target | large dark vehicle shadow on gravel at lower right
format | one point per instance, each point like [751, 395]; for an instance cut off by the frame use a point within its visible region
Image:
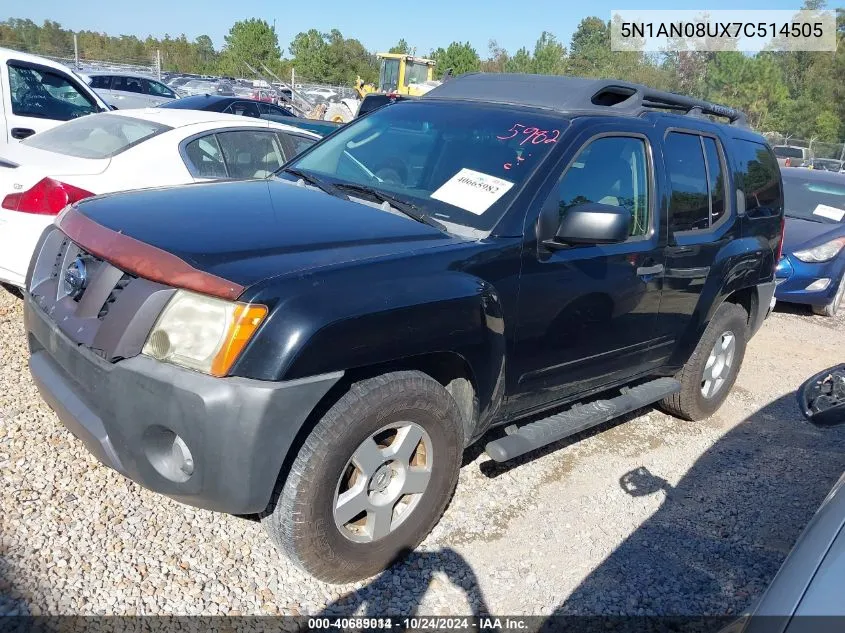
[723, 531]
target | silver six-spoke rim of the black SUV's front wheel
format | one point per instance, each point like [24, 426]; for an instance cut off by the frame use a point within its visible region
[383, 482]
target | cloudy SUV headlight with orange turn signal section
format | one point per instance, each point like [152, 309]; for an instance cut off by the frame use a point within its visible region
[203, 333]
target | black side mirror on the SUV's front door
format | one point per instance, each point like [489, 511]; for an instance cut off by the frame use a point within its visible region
[593, 223]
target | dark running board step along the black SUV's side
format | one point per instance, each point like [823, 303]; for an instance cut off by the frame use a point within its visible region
[578, 418]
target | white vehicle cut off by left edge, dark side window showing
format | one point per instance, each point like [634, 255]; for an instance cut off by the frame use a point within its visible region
[37, 94]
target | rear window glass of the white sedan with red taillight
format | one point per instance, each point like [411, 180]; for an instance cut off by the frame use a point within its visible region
[96, 136]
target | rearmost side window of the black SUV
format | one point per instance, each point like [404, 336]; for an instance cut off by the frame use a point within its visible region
[759, 177]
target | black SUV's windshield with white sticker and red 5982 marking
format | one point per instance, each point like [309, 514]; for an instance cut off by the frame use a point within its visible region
[456, 162]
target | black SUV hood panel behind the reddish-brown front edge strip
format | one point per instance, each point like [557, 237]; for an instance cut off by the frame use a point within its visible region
[245, 232]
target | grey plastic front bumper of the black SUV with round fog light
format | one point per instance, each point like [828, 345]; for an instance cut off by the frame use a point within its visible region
[128, 414]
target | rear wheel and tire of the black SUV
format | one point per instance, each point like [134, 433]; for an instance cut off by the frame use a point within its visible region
[713, 367]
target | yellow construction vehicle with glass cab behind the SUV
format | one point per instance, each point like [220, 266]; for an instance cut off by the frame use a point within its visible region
[399, 74]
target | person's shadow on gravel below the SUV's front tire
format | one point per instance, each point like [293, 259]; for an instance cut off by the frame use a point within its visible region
[399, 590]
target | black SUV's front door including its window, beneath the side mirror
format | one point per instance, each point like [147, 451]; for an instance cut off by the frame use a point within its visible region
[588, 313]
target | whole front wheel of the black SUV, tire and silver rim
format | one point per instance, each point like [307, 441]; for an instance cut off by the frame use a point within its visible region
[371, 479]
